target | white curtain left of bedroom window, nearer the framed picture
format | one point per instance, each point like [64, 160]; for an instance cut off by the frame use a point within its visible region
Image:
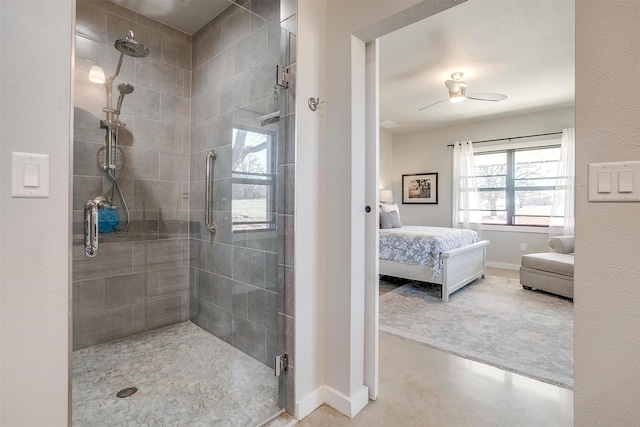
[465, 188]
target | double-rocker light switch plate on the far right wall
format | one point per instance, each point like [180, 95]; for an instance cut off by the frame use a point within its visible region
[614, 182]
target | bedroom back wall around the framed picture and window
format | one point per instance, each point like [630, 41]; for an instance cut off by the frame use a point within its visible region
[428, 152]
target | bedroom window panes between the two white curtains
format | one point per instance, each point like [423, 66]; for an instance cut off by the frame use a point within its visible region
[515, 186]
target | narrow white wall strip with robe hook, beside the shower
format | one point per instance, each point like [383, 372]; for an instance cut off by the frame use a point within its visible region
[310, 205]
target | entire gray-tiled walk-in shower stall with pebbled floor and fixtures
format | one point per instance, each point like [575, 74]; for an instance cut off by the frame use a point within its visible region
[183, 217]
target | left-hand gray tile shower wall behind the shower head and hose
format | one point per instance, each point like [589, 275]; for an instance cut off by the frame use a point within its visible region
[140, 278]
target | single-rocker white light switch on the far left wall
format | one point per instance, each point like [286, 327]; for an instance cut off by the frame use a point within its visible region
[29, 175]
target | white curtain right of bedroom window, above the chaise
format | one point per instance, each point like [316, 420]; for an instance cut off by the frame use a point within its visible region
[562, 219]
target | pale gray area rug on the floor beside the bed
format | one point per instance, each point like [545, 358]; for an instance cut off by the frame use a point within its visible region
[491, 320]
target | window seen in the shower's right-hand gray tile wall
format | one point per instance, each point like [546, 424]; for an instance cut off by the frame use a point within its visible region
[253, 179]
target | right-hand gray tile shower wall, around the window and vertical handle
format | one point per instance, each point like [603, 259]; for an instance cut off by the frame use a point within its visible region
[242, 282]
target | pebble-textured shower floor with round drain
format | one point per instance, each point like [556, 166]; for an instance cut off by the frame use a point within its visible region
[184, 376]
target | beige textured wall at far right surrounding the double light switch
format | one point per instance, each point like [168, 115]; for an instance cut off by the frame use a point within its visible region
[607, 292]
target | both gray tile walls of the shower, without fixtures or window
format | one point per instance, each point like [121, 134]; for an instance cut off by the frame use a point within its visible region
[189, 94]
